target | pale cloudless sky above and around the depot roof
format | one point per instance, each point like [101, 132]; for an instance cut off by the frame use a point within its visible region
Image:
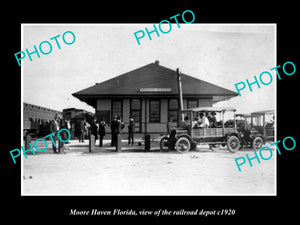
[222, 54]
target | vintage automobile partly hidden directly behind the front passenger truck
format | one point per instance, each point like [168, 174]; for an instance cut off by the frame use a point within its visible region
[249, 135]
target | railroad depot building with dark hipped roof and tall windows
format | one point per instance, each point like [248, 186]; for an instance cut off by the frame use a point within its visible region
[150, 95]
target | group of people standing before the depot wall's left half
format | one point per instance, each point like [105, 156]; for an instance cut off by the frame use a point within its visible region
[98, 129]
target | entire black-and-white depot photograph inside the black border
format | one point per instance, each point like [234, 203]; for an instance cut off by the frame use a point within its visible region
[131, 110]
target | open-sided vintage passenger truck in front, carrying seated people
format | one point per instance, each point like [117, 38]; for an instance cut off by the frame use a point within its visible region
[186, 136]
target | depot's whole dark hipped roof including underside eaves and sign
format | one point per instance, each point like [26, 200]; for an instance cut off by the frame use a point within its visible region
[152, 80]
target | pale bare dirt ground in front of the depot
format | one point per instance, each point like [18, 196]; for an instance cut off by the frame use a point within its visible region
[136, 172]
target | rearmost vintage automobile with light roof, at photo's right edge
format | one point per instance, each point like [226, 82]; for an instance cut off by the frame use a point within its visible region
[263, 121]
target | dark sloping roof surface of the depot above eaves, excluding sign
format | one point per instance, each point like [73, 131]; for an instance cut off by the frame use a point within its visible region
[153, 76]
